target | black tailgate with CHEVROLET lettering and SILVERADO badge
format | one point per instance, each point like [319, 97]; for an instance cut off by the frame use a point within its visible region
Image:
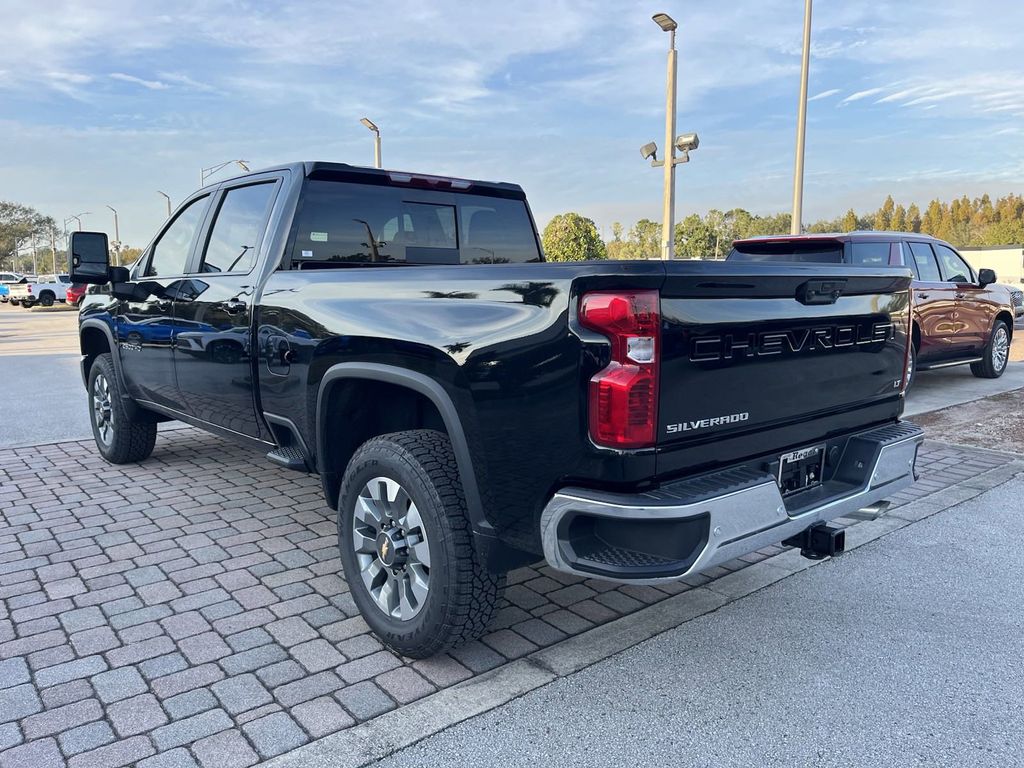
[752, 351]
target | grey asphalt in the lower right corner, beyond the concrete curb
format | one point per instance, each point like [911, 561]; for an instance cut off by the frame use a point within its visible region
[904, 653]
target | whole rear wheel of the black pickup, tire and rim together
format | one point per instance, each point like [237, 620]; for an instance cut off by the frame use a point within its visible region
[407, 546]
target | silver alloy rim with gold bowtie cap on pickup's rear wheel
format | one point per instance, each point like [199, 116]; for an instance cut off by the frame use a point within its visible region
[392, 548]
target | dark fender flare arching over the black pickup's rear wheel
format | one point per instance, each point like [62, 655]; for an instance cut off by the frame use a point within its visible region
[435, 393]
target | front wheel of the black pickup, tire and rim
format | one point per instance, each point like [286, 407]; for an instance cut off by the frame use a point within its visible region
[120, 440]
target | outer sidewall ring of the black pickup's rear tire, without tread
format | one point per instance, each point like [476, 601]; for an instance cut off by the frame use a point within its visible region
[382, 460]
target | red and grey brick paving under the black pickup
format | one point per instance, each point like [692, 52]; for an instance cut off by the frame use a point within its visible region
[191, 611]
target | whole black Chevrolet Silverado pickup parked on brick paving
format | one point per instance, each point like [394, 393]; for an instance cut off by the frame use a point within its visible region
[471, 409]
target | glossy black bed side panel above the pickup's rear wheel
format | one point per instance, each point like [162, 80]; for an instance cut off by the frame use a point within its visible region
[499, 339]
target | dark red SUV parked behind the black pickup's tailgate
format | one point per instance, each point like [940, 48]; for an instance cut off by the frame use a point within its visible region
[961, 317]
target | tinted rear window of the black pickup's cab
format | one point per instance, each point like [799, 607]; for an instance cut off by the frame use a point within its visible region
[343, 224]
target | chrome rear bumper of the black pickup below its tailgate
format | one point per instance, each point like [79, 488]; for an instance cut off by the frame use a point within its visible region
[704, 522]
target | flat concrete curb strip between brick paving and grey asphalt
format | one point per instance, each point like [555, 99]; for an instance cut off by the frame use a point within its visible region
[399, 730]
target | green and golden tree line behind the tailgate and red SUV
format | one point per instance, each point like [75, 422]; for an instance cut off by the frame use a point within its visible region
[964, 222]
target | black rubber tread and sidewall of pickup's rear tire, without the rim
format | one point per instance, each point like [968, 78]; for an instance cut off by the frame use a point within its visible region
[462, 594]
